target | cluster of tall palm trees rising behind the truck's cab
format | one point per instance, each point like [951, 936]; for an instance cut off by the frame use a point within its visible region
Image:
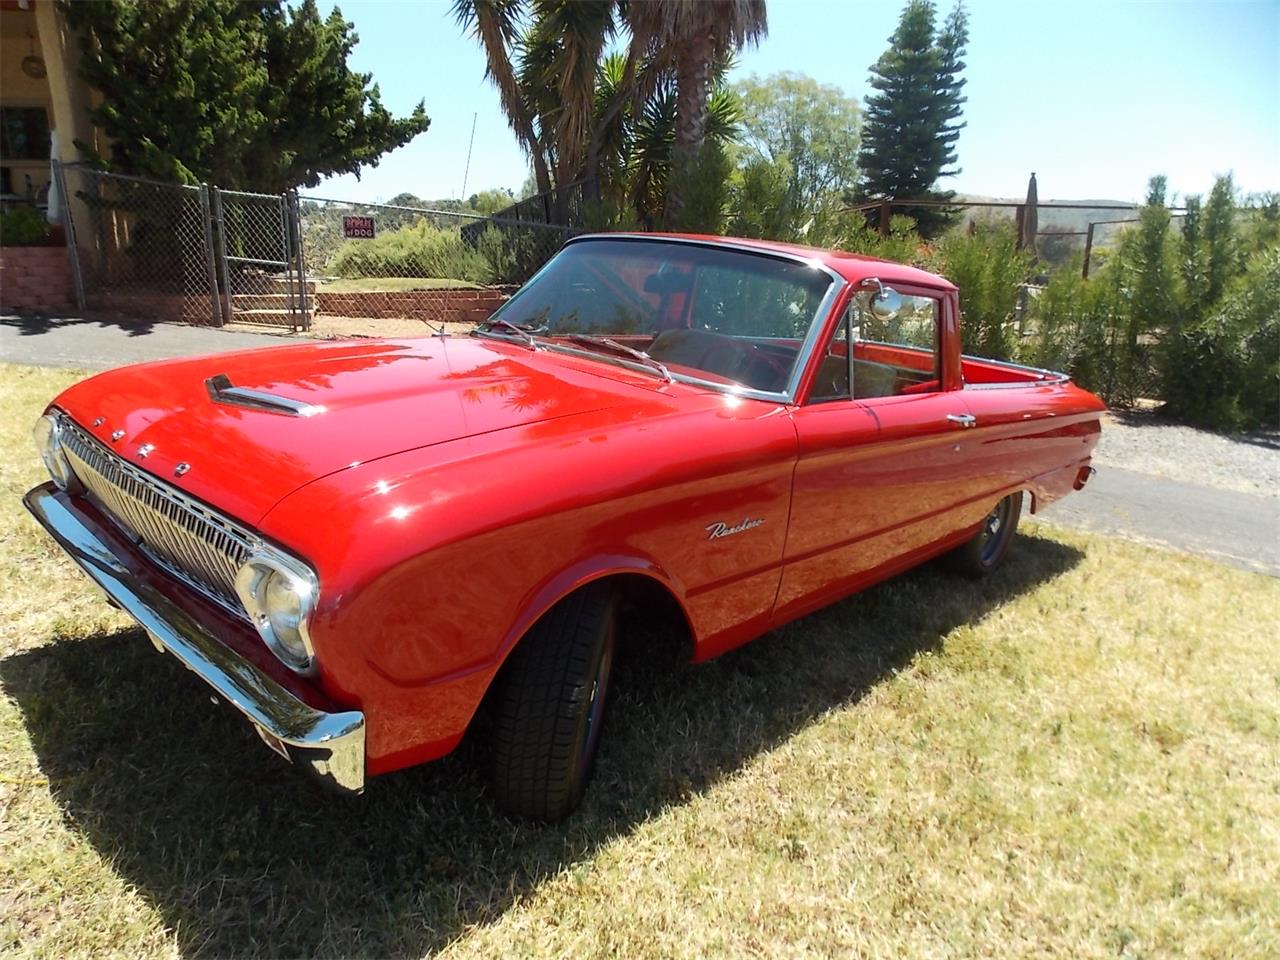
[573, 108]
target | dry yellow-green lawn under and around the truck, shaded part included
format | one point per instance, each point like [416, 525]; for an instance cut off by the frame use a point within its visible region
[1078, 757]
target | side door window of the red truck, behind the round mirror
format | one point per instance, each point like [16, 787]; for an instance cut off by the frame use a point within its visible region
[893, 358]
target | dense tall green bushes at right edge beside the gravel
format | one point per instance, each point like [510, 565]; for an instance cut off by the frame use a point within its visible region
[1187, 317]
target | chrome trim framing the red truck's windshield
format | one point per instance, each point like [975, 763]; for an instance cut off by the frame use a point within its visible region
[787, 396]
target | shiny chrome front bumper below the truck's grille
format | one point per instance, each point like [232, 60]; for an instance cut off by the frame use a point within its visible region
[332, 746]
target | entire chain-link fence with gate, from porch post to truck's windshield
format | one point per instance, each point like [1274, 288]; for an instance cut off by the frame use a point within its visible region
[204, 255]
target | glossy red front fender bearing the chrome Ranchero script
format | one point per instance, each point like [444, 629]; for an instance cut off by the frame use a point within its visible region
[433, 564]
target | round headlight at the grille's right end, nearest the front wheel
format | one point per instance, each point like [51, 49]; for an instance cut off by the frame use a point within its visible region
[280, 593]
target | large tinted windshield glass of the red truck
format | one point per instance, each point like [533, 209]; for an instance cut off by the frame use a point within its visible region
[708, 313]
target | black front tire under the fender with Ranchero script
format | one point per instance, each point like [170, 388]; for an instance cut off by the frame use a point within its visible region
[551, 706]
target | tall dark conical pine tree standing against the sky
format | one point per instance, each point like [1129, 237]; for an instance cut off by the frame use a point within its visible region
[913, 118]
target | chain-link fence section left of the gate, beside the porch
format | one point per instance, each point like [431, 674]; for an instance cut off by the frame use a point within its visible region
[144, 248]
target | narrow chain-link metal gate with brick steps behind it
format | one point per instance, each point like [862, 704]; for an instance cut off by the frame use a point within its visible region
[259, 244]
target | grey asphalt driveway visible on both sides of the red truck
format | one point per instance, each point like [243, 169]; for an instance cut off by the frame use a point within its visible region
[1228, 527]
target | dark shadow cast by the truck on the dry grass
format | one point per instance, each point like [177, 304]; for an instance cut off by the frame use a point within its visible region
[244, 857]
